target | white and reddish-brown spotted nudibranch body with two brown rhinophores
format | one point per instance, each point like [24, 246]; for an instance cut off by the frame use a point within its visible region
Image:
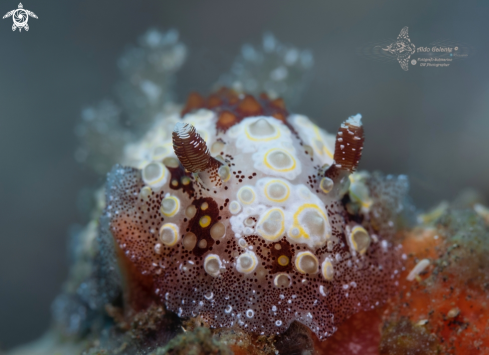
[238, 213]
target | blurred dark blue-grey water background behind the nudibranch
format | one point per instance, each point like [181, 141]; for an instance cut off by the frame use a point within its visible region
[429, 123]
